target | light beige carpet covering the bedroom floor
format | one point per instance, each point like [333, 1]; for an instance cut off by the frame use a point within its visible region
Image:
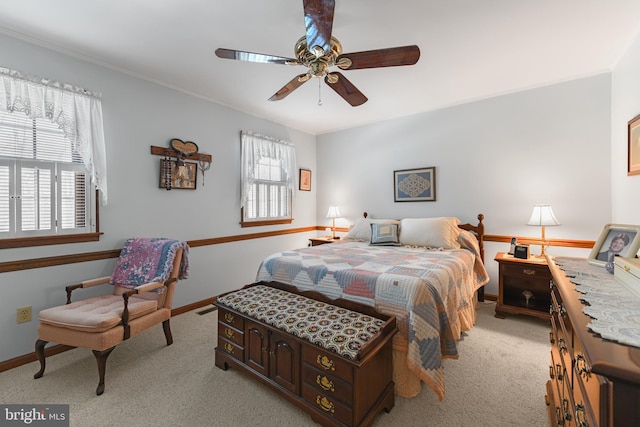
[498, 380]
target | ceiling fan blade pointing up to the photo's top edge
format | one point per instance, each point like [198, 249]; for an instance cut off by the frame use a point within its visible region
[318, 20]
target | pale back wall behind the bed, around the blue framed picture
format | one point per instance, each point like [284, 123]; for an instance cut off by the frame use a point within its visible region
[498, 156]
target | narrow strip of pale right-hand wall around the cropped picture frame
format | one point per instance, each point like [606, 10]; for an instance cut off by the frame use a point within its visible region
[625, 190]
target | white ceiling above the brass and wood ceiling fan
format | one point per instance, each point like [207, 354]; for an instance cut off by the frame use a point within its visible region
[470, 49]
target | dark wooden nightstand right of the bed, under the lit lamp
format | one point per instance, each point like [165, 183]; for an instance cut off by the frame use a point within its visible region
[523, 286]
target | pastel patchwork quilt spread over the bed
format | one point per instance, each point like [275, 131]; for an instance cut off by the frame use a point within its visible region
[429, 291]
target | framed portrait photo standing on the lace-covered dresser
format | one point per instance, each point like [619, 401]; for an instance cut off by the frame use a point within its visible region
[615, 240]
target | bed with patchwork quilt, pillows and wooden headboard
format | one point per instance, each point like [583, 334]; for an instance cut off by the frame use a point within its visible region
[425, 271]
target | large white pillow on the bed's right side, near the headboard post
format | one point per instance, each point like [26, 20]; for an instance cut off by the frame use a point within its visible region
[441, 232]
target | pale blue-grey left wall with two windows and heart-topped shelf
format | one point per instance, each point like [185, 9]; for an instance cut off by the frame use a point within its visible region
[138, 114]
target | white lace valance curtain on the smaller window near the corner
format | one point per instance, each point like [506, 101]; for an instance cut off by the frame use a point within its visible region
[255, 147]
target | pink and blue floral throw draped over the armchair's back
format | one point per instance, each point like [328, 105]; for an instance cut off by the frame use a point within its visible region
[145, 260]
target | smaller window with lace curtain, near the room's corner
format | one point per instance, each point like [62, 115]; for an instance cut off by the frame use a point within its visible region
[268, 177]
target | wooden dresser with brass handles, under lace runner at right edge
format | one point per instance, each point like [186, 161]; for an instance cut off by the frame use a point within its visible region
[593, 382]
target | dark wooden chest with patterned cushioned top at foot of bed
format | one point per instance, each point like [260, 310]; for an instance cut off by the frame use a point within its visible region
[332, 358]
